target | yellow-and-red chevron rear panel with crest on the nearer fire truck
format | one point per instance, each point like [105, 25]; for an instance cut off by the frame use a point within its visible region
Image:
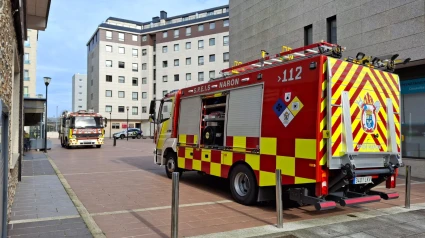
[368, 91]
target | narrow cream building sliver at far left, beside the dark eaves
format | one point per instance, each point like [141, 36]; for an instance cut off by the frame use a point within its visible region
[30, 63]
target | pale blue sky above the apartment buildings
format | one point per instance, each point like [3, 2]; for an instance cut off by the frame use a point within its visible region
[62, 48]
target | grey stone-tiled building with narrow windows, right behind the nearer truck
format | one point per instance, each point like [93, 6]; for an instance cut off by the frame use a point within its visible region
[377, 28]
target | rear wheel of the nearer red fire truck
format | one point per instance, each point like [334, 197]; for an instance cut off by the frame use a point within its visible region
[243, 185]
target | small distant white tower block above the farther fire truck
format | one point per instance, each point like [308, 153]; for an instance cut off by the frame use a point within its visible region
[79, 92]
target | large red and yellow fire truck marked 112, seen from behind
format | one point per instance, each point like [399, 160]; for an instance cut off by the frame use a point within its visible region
[331, 125]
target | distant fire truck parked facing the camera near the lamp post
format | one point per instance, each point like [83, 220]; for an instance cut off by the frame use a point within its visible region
[82, 128]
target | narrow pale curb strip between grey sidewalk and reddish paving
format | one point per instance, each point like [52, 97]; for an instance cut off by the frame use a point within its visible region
[90, 223]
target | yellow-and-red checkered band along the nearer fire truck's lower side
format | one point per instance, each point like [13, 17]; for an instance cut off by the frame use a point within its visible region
[298, 169]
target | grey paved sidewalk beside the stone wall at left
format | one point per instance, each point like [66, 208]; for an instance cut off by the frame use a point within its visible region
[42, 208]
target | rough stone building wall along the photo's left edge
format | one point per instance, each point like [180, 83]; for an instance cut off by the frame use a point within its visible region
[8, 48]
